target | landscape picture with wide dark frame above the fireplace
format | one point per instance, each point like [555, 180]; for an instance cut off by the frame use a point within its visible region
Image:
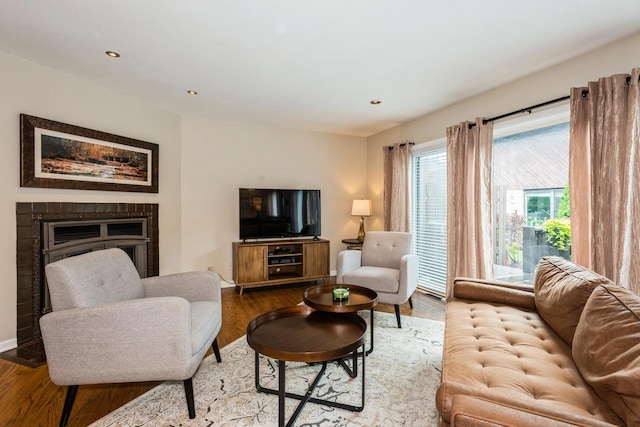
[59, 155]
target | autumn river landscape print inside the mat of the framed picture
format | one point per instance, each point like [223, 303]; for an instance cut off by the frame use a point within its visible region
[62, 156]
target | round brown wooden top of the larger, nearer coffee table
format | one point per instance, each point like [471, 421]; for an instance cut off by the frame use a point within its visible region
[303, 334]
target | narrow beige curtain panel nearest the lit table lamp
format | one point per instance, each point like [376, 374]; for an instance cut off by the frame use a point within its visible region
[396, 186]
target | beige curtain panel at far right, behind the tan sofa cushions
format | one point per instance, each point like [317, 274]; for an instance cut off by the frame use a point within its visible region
[604, 178]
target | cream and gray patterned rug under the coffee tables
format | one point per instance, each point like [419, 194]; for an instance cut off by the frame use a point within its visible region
[402, 375]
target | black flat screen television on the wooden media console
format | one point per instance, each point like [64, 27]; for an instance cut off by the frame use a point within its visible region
[278, 213]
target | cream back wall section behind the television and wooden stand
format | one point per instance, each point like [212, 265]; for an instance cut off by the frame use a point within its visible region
[219, 157]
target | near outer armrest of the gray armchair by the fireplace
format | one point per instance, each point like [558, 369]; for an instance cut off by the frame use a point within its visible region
[136, 340]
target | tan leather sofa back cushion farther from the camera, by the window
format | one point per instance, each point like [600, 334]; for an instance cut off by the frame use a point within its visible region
[562, 289]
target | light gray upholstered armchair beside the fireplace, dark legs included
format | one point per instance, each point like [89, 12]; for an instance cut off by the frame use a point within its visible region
[110, 326]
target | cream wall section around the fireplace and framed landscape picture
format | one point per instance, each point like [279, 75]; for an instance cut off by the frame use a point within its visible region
[31, 89]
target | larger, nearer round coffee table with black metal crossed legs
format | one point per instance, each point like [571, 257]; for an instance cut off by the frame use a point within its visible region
[303, 334]
